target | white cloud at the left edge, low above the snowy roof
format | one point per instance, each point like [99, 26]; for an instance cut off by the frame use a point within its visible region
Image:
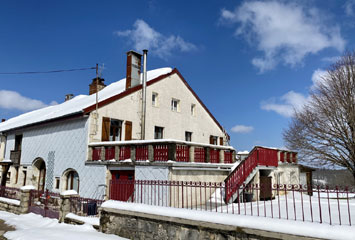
[14, 100]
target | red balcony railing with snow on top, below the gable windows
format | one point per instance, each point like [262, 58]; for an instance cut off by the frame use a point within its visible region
[161, 150]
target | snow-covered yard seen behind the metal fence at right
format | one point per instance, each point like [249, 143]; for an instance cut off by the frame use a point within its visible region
[298, 206]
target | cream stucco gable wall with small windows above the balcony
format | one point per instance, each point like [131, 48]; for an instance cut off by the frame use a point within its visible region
[175, 123]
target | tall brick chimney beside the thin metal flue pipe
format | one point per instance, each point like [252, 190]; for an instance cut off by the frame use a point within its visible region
[133, 75]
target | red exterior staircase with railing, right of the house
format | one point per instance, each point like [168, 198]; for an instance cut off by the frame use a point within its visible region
[258, 158]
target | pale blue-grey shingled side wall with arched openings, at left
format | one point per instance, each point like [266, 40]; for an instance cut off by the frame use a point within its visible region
[61, 145]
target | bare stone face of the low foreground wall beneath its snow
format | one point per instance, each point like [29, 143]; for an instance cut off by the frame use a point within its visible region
[138, 225]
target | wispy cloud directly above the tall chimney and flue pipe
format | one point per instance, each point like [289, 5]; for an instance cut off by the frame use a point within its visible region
[143, 36]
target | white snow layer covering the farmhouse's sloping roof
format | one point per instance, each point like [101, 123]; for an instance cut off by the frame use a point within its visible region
[73, 106]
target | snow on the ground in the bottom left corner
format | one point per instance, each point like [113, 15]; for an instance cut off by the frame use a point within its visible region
[35, 227]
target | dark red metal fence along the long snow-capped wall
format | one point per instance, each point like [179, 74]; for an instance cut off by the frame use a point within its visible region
[332, 205]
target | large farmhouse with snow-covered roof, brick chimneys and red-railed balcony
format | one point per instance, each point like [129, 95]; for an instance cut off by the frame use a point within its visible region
[88, 140]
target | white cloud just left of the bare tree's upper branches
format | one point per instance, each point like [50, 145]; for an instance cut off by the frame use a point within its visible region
[286, 104]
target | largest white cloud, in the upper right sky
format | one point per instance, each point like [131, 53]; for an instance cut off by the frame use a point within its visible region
[284, 32]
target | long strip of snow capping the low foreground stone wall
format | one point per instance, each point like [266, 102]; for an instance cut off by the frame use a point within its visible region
[275, 225]
